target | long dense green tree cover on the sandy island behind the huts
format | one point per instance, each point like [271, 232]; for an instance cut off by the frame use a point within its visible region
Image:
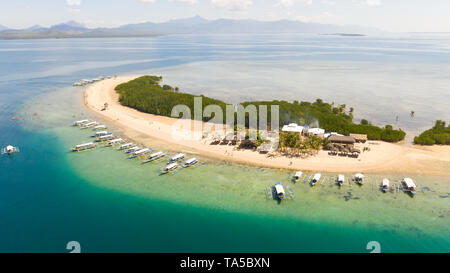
[147, 95]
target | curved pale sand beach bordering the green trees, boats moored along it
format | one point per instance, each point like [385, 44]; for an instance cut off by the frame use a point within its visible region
[382, 158]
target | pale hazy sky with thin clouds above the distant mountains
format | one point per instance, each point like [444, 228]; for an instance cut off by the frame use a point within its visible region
[389, 15]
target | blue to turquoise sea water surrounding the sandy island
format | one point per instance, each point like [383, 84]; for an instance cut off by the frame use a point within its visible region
[47, 201]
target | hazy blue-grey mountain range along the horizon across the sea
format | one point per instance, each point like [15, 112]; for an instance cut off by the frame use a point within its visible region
[193, 25]
